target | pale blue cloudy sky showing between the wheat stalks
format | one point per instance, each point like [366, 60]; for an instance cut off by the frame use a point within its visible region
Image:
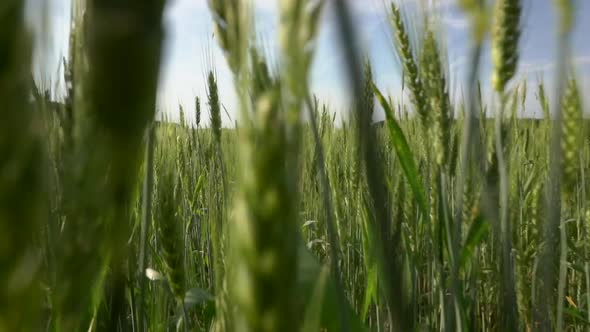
[190, 49]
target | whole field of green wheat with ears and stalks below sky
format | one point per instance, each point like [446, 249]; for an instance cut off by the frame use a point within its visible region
[440, 218]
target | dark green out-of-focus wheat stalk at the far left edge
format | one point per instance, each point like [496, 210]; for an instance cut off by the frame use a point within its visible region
[22, 206]
